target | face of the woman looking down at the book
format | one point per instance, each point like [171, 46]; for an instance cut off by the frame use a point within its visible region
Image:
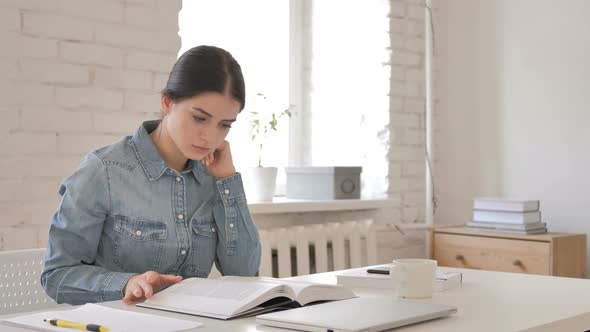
[199, 125]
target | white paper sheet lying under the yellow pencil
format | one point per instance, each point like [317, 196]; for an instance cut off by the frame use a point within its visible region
[115, 320]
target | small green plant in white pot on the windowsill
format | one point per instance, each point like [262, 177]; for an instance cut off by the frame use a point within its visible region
[261, 181]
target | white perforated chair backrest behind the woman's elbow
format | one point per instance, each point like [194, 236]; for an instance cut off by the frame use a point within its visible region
[20, 287]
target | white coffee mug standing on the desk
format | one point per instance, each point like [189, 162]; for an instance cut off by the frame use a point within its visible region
[413, 278]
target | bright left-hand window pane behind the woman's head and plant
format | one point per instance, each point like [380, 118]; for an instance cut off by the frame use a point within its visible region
[256, 33]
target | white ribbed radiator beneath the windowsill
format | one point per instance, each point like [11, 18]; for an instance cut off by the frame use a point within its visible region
[300, 250]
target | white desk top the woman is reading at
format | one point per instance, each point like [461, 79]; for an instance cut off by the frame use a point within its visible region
[487, 301]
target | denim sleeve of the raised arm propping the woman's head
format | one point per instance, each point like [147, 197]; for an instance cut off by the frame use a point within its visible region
[238, 248]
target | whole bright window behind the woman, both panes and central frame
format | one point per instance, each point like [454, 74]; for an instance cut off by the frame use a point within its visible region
[324, 57]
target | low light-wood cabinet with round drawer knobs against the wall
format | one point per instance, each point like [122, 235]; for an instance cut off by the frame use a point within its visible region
[557, 254]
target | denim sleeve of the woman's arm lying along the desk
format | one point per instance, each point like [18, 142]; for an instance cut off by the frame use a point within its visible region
[69, 271]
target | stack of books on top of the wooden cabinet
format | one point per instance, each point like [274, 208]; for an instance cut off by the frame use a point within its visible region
[506, 215]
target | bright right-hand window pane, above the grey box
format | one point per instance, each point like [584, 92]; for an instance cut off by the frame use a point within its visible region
[349, 102]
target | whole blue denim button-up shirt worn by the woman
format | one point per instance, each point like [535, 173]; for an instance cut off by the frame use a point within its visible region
[125, 212]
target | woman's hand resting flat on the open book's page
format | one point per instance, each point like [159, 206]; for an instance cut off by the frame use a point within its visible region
[146, 284]
